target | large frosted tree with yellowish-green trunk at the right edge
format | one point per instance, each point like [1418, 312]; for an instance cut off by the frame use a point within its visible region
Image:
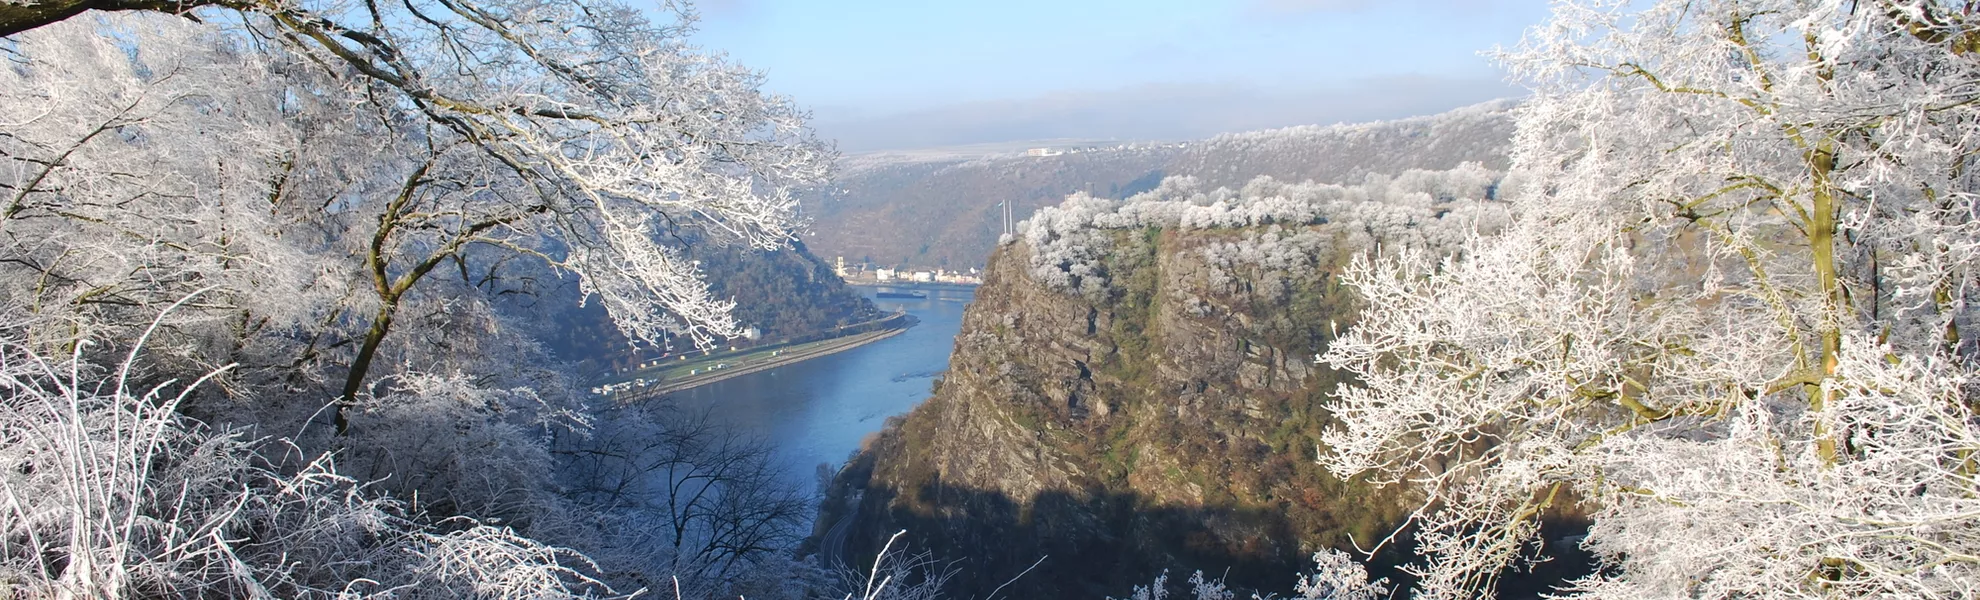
[1732, 316]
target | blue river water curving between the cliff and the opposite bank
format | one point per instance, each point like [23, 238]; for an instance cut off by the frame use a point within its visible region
[821, 411]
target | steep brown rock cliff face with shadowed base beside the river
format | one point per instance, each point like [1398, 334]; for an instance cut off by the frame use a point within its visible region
[1165, 423]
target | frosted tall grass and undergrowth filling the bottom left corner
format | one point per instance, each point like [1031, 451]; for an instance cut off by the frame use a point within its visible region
[108, 492]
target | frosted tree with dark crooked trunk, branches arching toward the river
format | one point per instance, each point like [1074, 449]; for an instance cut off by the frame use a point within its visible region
[395, 142]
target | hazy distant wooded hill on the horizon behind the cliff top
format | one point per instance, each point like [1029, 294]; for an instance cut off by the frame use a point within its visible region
[940, 209]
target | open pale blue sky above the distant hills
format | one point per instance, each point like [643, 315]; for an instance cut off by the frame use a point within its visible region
[894, 74]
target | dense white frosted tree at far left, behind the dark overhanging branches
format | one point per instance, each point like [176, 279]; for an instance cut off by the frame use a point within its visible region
[130, 181]
